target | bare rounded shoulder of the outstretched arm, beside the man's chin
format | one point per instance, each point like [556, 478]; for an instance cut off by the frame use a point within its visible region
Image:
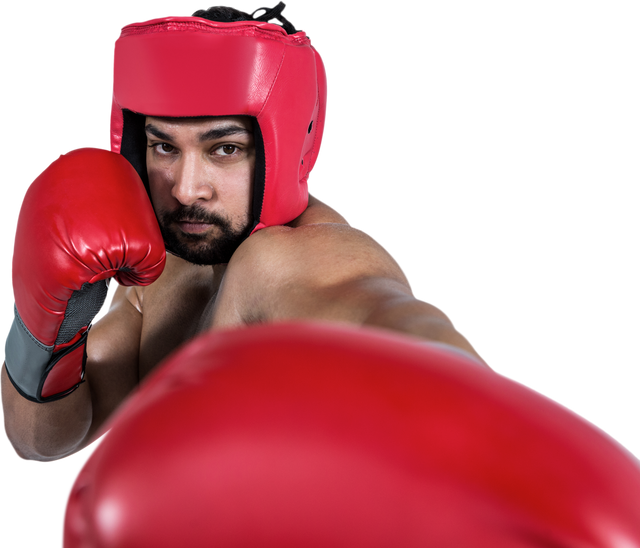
[286, 272]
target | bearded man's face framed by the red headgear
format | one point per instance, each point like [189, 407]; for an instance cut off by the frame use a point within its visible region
[201, 181]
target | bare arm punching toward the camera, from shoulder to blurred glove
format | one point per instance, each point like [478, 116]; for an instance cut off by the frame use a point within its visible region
[338, 273]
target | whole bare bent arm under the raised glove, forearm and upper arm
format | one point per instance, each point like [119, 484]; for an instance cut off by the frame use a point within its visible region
[46, 432]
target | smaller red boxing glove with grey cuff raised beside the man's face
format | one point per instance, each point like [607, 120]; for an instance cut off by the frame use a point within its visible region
[84, 218]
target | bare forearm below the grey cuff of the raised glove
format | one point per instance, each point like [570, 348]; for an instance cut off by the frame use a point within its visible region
[44, 431]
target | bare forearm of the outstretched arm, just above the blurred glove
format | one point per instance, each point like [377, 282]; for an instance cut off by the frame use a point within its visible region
[420, 318]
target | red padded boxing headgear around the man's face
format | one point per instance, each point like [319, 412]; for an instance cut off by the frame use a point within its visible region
[179, 65]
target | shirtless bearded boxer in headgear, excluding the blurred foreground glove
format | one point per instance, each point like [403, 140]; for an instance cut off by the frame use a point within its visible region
[246, 241]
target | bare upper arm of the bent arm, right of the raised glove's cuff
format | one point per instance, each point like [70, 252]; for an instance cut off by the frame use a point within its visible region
[113, 348]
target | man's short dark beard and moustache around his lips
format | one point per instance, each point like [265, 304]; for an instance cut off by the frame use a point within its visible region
[202, 249]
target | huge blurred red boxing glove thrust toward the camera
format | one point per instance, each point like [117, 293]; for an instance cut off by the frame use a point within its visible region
[323, 436]
